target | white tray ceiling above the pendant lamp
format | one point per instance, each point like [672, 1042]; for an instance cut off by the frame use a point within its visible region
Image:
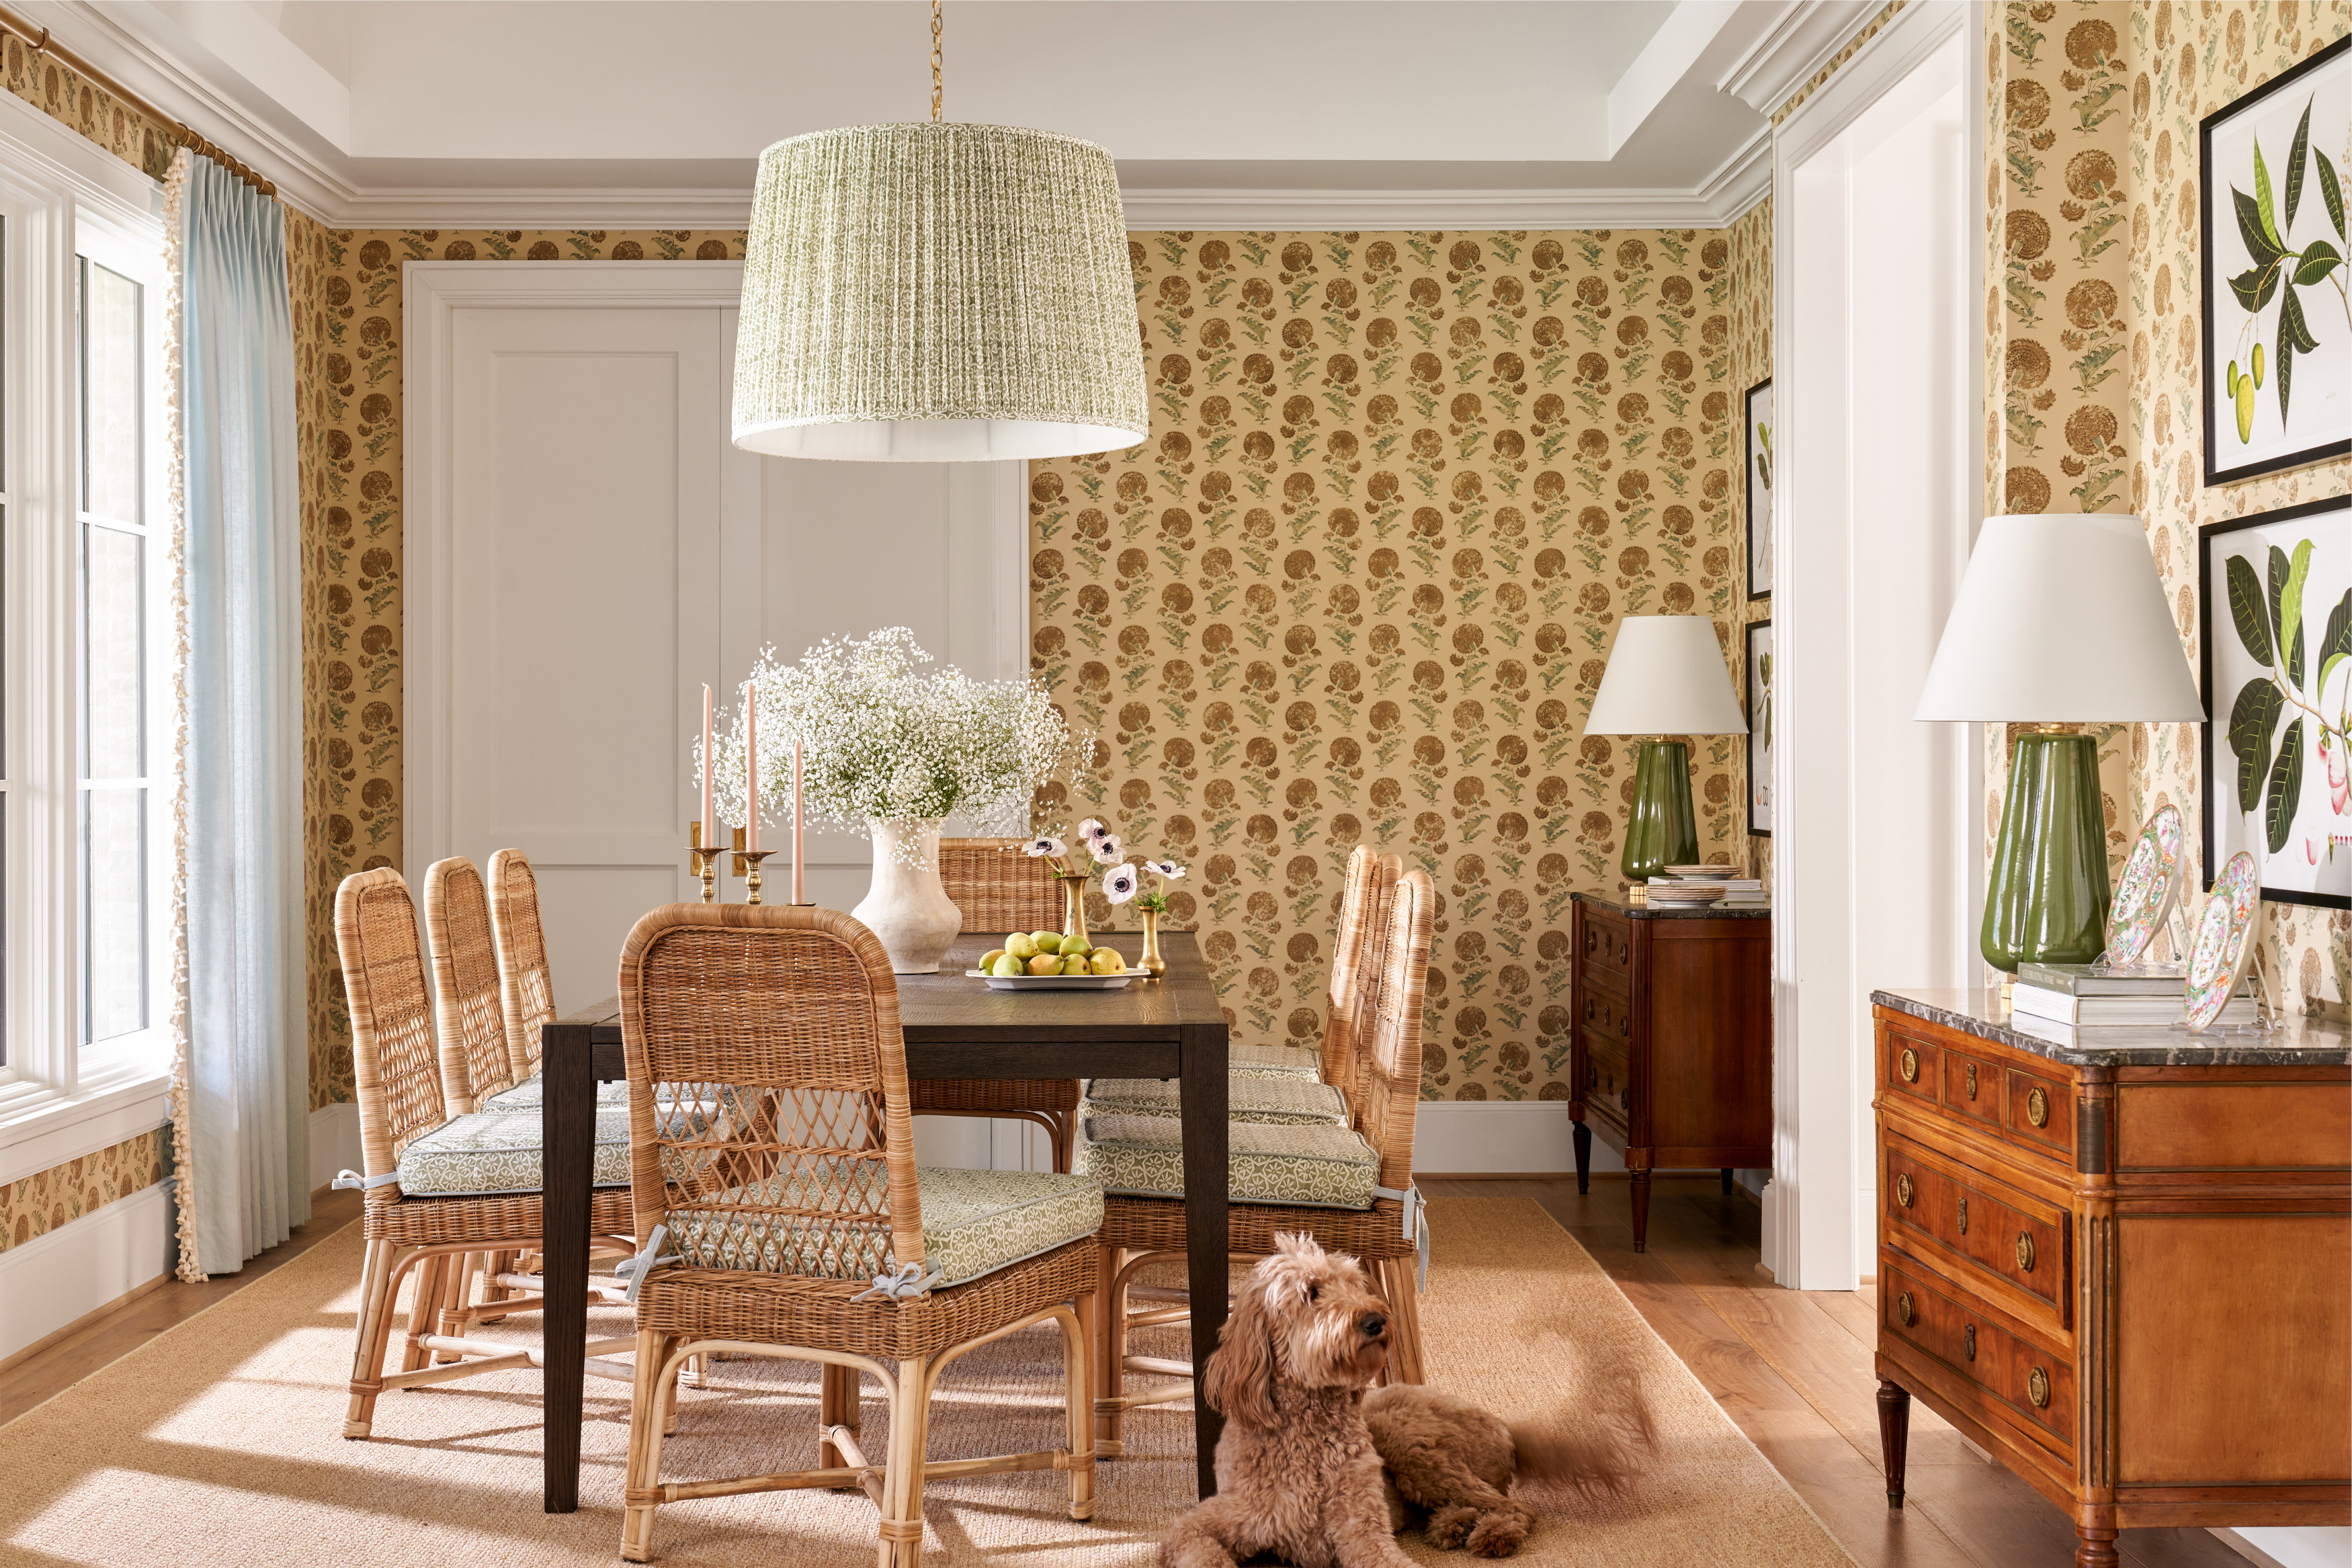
[1220, 112]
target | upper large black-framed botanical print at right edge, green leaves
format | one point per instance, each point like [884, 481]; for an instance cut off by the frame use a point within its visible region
[2278, 326]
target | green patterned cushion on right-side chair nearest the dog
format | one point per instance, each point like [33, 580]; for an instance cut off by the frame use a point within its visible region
[1311, 1165]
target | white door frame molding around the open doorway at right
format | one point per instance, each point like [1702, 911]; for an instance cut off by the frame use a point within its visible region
[1819, 1231]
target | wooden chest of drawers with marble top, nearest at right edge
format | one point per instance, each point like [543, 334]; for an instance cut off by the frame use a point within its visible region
[2120, 1264]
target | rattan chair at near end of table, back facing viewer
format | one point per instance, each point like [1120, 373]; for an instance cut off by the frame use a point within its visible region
[791, 1221]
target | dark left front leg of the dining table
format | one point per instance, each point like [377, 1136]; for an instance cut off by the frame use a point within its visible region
[568, 1148]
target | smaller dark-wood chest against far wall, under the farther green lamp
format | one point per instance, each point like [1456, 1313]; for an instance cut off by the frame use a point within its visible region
[1671, 1057]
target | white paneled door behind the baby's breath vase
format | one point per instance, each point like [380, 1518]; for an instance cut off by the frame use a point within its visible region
[587, 549]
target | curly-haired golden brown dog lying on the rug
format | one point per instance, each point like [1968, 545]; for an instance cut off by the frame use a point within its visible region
[1321, 1473]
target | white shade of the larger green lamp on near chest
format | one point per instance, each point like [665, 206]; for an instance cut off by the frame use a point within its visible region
[2062, 619]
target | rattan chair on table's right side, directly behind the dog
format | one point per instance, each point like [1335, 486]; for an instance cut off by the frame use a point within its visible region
[1349, 1188]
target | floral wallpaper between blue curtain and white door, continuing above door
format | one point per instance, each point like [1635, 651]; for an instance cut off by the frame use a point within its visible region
[347, 344]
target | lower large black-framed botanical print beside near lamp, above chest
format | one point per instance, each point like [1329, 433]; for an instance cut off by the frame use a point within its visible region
[2276, 598]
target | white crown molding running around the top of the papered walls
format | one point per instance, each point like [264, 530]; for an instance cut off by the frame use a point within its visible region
[312, 185]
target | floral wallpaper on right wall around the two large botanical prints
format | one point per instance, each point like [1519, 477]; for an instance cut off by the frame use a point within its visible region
[2094, 337]
